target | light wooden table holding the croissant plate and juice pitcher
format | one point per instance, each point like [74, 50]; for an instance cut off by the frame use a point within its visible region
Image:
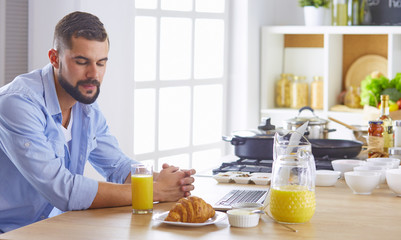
[339, 215]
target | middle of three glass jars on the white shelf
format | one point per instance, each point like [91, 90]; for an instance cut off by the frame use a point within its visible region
[299, 92]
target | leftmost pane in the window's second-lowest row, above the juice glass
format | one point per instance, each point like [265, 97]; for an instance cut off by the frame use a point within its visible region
[144, 120]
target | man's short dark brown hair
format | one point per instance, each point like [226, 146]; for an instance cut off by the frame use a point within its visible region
[78, 24]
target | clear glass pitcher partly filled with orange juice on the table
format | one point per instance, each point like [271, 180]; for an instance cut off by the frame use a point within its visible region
[292, 190]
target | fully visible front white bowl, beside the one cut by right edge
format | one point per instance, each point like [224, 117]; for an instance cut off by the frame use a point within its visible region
[362, 182]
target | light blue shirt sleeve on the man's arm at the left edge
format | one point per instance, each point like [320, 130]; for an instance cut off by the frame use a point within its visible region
[28, 136]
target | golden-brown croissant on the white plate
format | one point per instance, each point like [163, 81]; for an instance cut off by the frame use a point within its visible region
[190, 210]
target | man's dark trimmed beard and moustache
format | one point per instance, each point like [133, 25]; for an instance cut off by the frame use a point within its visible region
[74, 91]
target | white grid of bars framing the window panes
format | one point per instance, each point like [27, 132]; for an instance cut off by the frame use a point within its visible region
[158, 13]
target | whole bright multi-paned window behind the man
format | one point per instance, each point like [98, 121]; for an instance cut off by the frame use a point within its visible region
[180, 78]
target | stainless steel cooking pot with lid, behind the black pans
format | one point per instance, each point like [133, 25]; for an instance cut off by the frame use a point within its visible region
[317, 127]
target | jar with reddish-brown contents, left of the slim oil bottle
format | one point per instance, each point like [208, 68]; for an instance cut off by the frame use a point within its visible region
[375, 139]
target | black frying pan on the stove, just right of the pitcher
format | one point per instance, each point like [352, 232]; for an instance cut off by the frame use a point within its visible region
[335, 148]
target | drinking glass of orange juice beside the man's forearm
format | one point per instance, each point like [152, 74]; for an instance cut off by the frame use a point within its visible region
[142, 188]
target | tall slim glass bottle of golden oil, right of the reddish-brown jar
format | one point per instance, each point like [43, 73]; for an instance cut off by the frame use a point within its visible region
[388, 135]
